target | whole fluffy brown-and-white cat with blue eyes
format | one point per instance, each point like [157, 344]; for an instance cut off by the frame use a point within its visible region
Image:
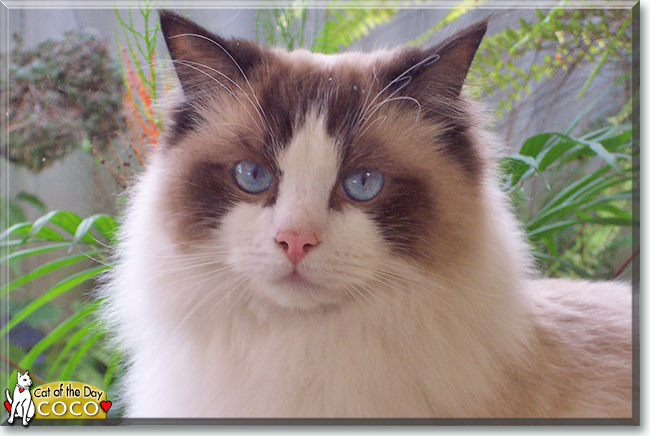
[324, 236]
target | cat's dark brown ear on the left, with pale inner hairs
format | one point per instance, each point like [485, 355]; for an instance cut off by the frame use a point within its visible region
[202, 59]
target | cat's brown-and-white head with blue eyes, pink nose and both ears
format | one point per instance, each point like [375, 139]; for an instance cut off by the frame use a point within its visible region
[314, 178]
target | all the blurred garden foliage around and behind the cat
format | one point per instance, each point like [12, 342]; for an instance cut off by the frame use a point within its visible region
[573, 188]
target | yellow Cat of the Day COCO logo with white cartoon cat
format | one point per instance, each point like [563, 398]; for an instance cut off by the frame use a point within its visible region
[56, 400]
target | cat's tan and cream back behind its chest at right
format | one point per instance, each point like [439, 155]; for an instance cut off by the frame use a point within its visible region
[579, 361]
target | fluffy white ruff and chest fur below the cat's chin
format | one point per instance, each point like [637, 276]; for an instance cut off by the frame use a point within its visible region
[404, 335]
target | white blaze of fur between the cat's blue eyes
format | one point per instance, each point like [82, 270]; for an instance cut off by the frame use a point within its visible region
[309, 166]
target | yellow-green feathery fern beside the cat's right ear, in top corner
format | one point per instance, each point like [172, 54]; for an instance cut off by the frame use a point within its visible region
[557, 42]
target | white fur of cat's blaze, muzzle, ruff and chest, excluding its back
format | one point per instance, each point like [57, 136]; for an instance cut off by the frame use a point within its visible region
[368, 335]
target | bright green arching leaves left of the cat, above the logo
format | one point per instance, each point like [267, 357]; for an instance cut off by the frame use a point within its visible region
[79, 243]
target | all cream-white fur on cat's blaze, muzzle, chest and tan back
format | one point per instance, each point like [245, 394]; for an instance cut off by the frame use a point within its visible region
[483, 338]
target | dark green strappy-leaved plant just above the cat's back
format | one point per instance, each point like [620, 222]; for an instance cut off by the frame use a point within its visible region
[602, 196]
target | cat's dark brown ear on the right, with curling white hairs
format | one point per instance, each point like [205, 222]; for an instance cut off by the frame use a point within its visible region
[439, 71]
